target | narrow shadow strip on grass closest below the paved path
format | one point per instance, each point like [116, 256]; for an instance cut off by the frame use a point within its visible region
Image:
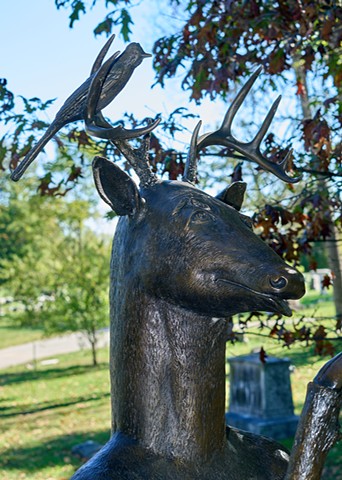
[47, 374]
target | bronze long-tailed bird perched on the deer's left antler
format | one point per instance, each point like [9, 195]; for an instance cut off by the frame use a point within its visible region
[114, 74]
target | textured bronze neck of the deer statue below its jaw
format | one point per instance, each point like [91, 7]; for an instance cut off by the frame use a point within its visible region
[168, 378]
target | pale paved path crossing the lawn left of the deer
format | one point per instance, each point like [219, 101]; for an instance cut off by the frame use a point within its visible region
[32, 351]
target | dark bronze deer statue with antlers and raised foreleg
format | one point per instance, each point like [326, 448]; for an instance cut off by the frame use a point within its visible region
[182, 262]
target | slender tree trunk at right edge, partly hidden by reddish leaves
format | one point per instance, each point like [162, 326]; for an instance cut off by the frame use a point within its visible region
[331, 245]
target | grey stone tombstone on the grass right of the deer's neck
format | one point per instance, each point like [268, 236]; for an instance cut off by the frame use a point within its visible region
[261, 397]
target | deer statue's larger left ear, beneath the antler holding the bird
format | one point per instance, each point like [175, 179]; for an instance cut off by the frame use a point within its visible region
[115, 187]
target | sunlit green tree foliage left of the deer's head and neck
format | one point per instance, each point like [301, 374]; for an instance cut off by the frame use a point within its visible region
[53, 267]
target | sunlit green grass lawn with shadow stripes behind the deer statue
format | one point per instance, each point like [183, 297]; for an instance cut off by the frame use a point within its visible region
[45, 412]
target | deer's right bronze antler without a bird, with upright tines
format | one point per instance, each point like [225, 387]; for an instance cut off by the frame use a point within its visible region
[250, 150]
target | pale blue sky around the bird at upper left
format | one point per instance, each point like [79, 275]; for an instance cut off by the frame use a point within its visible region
[41, 56]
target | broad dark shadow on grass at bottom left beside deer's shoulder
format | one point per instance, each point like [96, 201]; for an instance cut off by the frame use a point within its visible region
[54, 452]
